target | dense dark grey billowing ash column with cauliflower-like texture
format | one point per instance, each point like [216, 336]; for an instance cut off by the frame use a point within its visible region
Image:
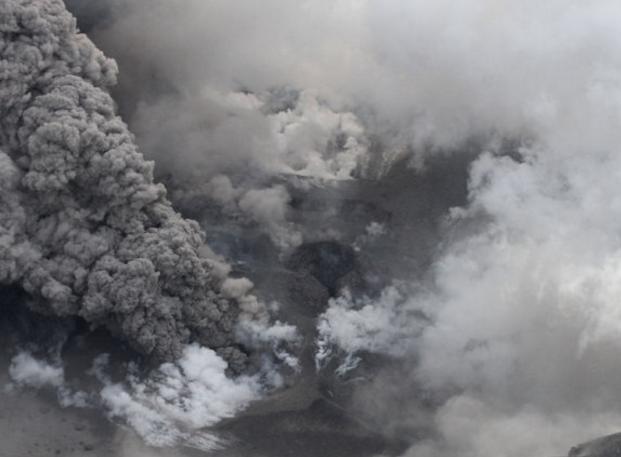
[84, 230]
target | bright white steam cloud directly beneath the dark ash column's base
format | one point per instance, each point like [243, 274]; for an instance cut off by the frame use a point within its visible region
[179, 399]
